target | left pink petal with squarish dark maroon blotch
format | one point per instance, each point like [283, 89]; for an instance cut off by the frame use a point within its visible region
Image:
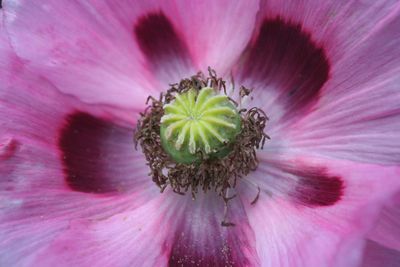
[61, 160]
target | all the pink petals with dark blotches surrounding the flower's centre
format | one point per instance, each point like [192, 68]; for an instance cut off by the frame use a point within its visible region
[75, 75]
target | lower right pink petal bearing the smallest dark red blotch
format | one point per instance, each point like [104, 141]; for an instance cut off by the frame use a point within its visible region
[305, 234]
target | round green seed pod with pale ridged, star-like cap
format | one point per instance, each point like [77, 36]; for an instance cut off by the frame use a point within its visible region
[199, 124]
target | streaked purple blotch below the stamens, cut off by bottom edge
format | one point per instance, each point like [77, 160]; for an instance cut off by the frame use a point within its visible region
[200, 240]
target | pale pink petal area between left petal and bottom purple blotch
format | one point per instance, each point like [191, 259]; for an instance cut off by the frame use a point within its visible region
[135, 238]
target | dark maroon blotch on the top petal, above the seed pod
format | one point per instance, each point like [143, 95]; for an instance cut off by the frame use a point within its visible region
[159, 41]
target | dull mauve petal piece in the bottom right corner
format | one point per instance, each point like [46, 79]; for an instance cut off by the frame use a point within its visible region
[376, 255]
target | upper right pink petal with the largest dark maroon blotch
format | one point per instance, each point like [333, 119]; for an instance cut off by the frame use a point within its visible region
[326, 62]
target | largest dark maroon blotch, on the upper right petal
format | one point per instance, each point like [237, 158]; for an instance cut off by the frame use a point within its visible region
[284, 57]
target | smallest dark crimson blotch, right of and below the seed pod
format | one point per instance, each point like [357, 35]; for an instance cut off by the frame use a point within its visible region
[317, 188]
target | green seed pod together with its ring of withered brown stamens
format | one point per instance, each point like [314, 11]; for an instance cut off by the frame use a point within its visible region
[195, 137]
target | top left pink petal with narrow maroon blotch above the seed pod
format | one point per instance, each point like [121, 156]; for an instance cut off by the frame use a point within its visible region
[116, 52]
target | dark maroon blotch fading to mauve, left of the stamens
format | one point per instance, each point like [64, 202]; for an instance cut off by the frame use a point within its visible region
[92, 151]
